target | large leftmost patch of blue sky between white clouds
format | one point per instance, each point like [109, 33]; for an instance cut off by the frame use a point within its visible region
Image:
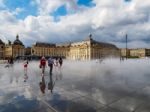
[28, 9]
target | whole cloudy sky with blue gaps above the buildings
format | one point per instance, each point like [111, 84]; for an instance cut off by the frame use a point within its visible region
[63, 21]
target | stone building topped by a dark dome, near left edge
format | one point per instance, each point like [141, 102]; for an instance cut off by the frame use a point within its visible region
[14, 49]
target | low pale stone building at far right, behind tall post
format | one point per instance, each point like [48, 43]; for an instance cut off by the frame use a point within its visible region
[140, 52]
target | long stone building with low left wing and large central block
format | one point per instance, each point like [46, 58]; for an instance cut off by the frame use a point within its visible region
[84, 50]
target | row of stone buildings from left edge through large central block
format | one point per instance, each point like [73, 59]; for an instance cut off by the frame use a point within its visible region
[84, 50]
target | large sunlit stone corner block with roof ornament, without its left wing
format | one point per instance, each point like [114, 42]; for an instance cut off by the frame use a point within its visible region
[90, 49]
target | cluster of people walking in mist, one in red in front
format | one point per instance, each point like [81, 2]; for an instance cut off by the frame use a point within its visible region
[51, 62]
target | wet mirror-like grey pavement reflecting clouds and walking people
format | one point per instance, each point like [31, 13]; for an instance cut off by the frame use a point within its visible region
[110, 86]
